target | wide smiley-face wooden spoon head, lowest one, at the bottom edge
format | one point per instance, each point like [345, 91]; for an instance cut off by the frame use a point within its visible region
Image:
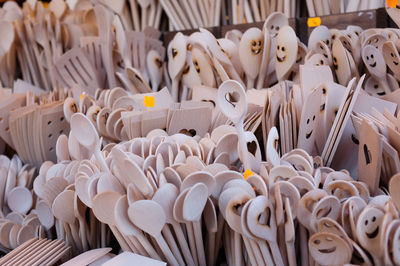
[329, 249]
